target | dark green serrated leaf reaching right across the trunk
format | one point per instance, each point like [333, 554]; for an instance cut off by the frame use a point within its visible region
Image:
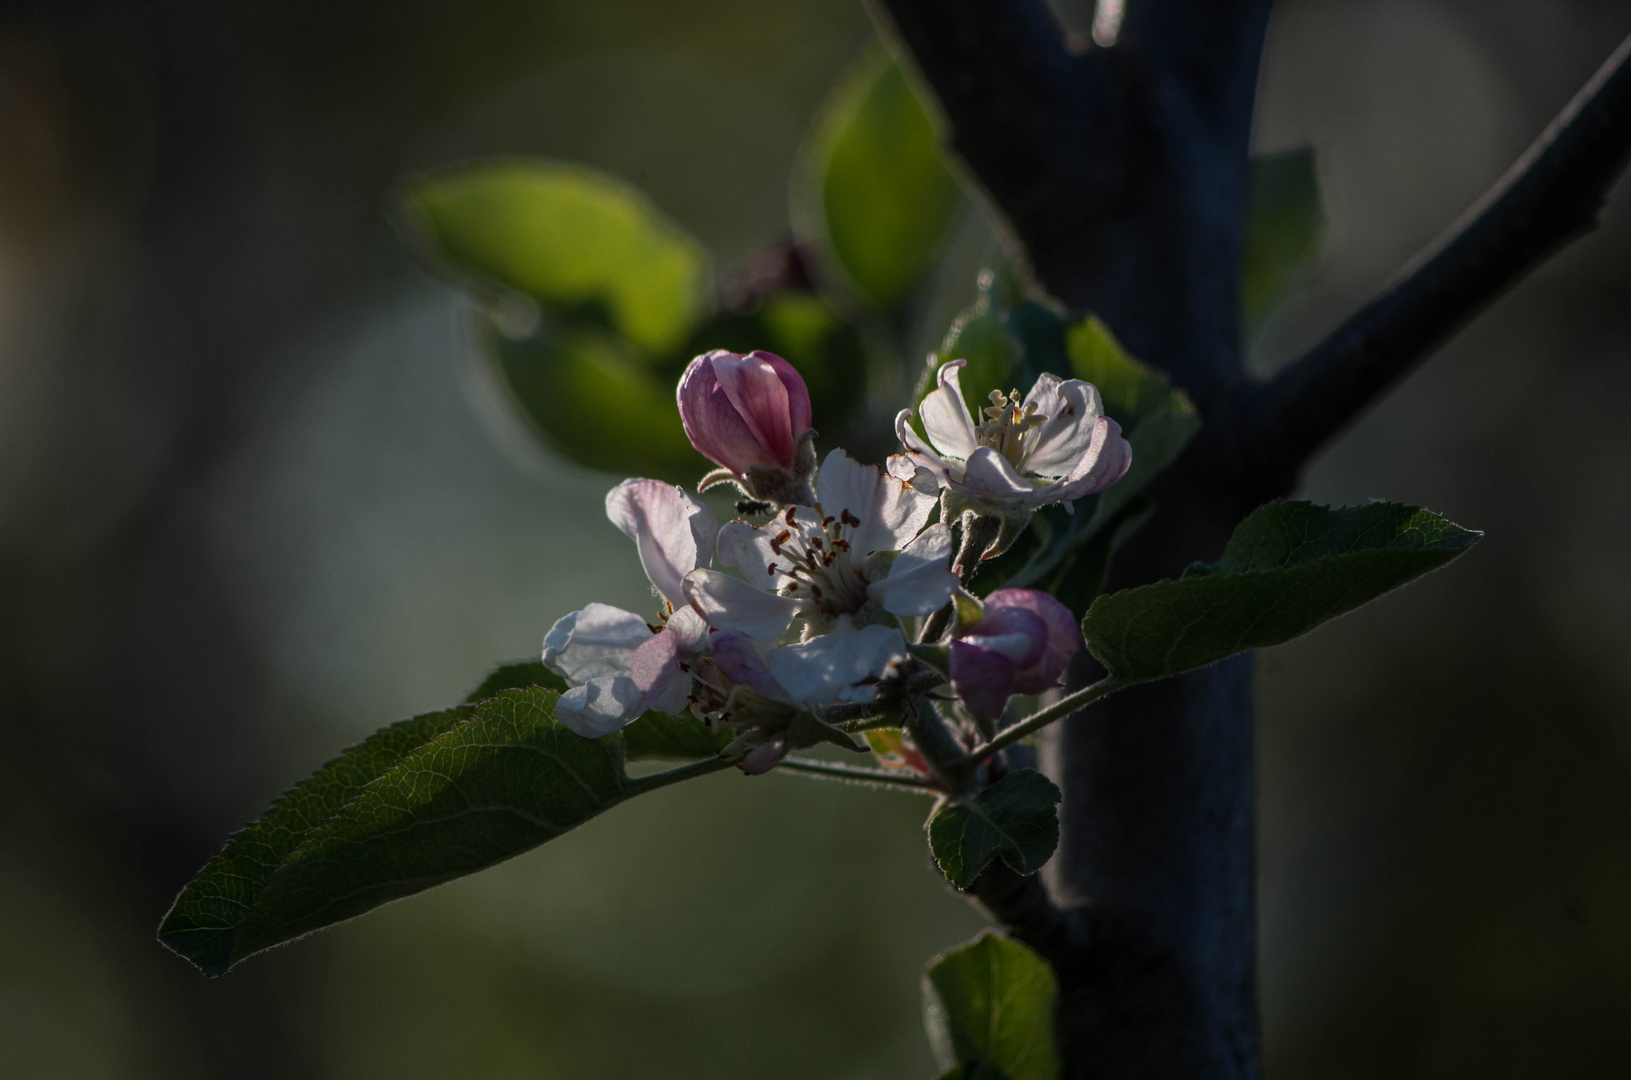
[1288, 569]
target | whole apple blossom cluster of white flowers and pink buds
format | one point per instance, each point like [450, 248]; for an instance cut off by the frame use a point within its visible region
[769, 631]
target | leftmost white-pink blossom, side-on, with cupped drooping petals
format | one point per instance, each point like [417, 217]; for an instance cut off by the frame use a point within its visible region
[616, 665]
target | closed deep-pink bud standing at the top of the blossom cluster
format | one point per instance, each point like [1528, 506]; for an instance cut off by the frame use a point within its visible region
[745, 412]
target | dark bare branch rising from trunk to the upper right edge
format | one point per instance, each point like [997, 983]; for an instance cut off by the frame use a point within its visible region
[1549, 198]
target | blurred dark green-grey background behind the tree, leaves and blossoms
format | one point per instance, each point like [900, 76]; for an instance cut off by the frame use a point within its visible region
[260, 497]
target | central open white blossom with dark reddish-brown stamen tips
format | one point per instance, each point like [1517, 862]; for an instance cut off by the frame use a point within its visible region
[862, 549]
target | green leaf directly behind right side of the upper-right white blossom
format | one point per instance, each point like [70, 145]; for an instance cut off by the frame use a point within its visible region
[1157, 418]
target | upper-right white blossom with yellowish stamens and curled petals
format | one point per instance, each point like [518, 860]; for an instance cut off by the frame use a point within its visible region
[1056, 446]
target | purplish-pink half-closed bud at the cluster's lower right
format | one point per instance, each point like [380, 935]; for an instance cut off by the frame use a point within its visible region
[1022, 645]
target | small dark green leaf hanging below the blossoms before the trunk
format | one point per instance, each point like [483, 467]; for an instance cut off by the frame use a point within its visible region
[1014, 820]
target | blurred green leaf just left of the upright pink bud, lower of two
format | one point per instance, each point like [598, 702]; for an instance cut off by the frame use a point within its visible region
[594, 401]
